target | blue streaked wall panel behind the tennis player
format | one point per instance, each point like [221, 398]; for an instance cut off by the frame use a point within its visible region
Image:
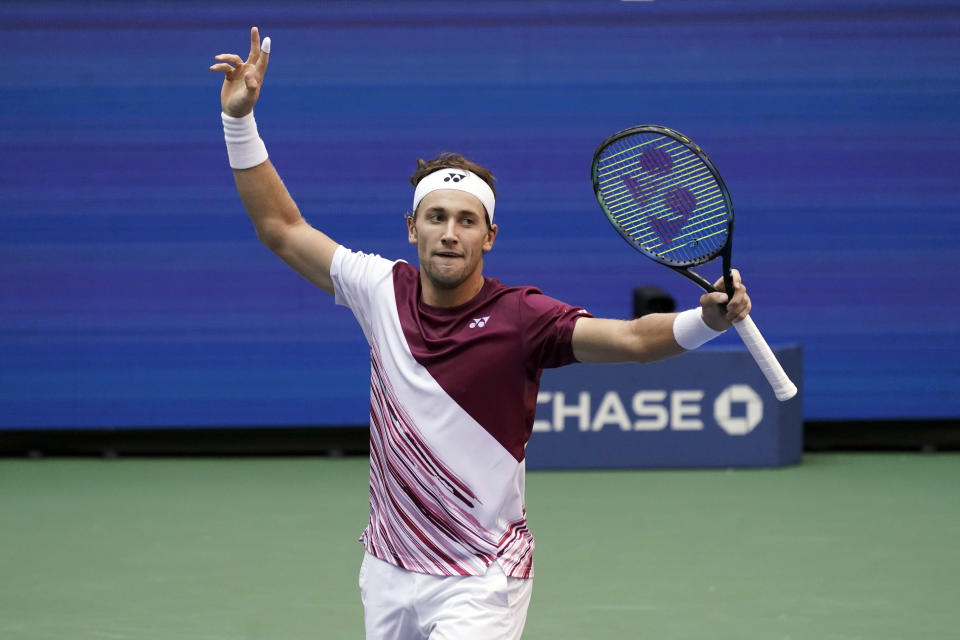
[133, 292]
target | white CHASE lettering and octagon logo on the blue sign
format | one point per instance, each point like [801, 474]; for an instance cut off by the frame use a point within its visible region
[737, 409]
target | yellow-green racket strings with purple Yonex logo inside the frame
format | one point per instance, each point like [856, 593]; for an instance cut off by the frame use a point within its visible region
[664, 197]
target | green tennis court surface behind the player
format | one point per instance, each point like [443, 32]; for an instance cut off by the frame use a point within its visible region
[843, 547]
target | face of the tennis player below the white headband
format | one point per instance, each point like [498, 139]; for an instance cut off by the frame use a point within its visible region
[451, 234]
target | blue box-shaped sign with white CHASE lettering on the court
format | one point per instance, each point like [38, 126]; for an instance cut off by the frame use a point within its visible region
[706, 408]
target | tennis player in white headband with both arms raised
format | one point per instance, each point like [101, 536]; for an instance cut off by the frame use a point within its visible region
[455, 361]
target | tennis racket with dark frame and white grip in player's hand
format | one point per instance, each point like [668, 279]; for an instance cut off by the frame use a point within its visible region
[663, 195]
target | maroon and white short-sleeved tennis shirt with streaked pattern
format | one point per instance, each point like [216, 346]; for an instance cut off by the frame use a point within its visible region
[453, 396]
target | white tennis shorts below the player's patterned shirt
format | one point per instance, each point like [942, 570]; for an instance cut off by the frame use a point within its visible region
[404, 605]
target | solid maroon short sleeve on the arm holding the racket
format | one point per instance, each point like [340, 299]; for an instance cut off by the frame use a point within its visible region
[547, 326]
